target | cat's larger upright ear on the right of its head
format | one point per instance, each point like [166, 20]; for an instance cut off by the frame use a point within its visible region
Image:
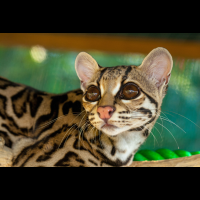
[158, 65]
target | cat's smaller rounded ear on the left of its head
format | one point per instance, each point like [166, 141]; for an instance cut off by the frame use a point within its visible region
[86, 67]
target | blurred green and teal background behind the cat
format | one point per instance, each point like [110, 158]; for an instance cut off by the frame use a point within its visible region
[53, 71]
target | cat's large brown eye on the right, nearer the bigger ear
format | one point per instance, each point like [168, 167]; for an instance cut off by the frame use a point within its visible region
[130, 91]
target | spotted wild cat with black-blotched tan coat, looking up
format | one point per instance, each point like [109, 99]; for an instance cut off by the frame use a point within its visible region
[102, 124]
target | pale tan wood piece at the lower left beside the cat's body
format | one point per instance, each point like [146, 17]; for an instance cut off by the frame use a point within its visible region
[6, 154]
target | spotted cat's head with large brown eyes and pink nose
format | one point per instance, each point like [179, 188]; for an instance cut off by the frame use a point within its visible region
[124, 98]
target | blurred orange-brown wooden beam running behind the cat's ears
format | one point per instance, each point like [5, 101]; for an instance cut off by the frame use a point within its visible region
[115, 44]
